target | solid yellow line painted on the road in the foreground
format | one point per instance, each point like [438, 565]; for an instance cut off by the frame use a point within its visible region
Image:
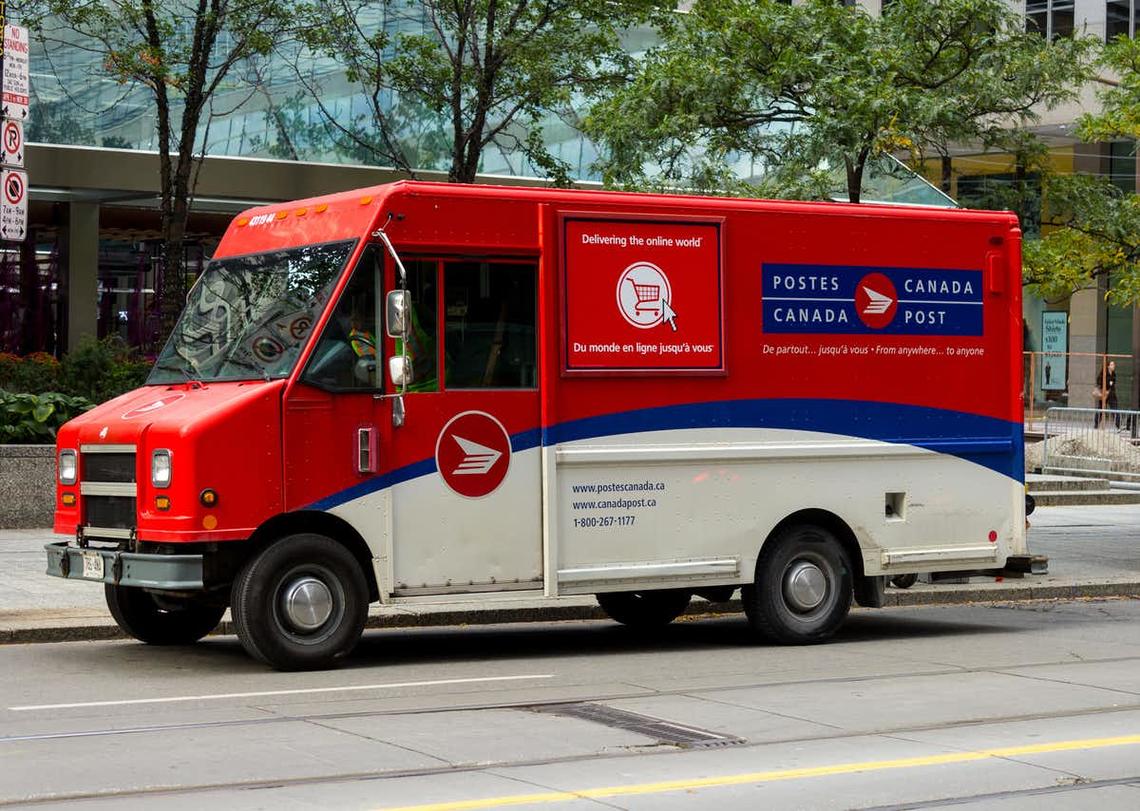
[773, 776]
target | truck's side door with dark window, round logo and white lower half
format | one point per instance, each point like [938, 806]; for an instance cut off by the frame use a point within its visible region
[467, 507]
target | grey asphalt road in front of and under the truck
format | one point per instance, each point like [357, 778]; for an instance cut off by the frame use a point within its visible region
[1005, 707]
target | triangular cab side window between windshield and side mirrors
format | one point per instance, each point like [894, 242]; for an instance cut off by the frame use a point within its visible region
[346, 358]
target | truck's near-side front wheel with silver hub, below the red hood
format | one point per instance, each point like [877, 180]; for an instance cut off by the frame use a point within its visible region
[320, 575]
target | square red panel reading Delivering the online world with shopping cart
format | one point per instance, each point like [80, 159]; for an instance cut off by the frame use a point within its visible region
[642, 296]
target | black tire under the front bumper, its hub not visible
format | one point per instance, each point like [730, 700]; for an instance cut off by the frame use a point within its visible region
[161, 619]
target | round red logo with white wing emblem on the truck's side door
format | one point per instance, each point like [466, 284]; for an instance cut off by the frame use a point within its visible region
[474, 455]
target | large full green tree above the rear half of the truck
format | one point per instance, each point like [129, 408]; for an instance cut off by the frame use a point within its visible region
[819, 85]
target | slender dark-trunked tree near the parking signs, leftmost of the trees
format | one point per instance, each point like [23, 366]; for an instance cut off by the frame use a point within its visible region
[184, 54]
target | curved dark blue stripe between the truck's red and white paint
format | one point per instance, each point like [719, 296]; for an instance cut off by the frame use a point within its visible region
[995, 444]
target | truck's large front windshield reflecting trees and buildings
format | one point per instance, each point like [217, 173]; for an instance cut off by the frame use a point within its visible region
[249, 318]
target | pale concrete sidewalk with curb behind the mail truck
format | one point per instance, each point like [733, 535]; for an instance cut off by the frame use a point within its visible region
[1095, 553]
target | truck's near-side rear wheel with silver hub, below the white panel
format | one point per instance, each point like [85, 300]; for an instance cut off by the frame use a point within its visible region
[803, 588]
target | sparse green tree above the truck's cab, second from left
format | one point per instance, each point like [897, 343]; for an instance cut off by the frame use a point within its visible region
[491, 70]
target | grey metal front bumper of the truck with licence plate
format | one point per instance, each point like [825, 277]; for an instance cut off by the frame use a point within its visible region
[167, 572]
